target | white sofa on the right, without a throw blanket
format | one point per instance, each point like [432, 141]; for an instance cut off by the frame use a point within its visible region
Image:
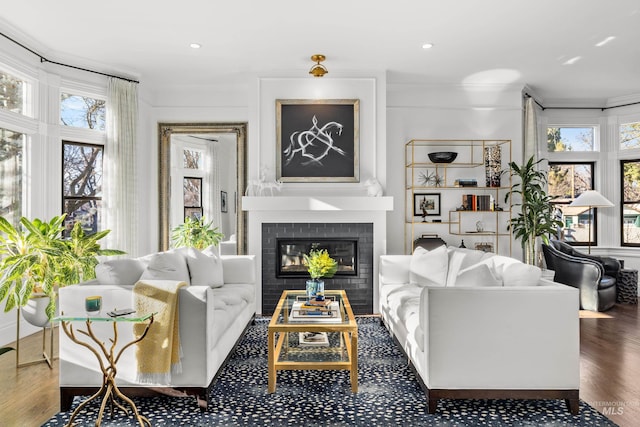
[483, 326]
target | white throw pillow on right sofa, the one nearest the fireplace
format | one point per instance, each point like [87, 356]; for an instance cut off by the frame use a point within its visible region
[429, 268]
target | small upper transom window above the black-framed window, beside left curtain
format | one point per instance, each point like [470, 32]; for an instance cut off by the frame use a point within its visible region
[82, 112]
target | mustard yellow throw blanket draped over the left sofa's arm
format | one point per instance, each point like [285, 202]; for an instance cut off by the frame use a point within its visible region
[159, 353]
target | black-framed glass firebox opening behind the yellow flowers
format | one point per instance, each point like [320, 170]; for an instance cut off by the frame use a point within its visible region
[290, 260]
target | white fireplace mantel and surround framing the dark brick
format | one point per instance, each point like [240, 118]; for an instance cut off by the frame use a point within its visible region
[307, 209]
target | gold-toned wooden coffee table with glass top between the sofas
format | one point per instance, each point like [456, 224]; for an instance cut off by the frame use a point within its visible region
[286, 353]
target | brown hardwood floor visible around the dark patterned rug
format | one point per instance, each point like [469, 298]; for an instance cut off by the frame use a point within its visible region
[609, 371]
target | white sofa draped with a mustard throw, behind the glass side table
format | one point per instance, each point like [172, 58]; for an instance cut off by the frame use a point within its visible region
[214, 311]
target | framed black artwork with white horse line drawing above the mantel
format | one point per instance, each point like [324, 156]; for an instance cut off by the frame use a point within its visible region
[317, 140]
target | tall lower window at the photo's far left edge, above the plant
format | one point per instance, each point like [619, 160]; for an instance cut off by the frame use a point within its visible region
[11, 160]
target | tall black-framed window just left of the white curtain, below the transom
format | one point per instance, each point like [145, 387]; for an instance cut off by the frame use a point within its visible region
[82, 185]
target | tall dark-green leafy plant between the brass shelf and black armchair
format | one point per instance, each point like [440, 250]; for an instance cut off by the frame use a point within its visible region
[536, 219]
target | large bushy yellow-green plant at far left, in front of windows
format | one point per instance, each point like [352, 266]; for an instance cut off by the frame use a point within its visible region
[36, 260]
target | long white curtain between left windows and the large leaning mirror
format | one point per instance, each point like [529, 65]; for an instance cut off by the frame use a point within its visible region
[120, 211]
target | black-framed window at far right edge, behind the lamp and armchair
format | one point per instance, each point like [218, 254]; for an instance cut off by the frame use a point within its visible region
[630, 170]
